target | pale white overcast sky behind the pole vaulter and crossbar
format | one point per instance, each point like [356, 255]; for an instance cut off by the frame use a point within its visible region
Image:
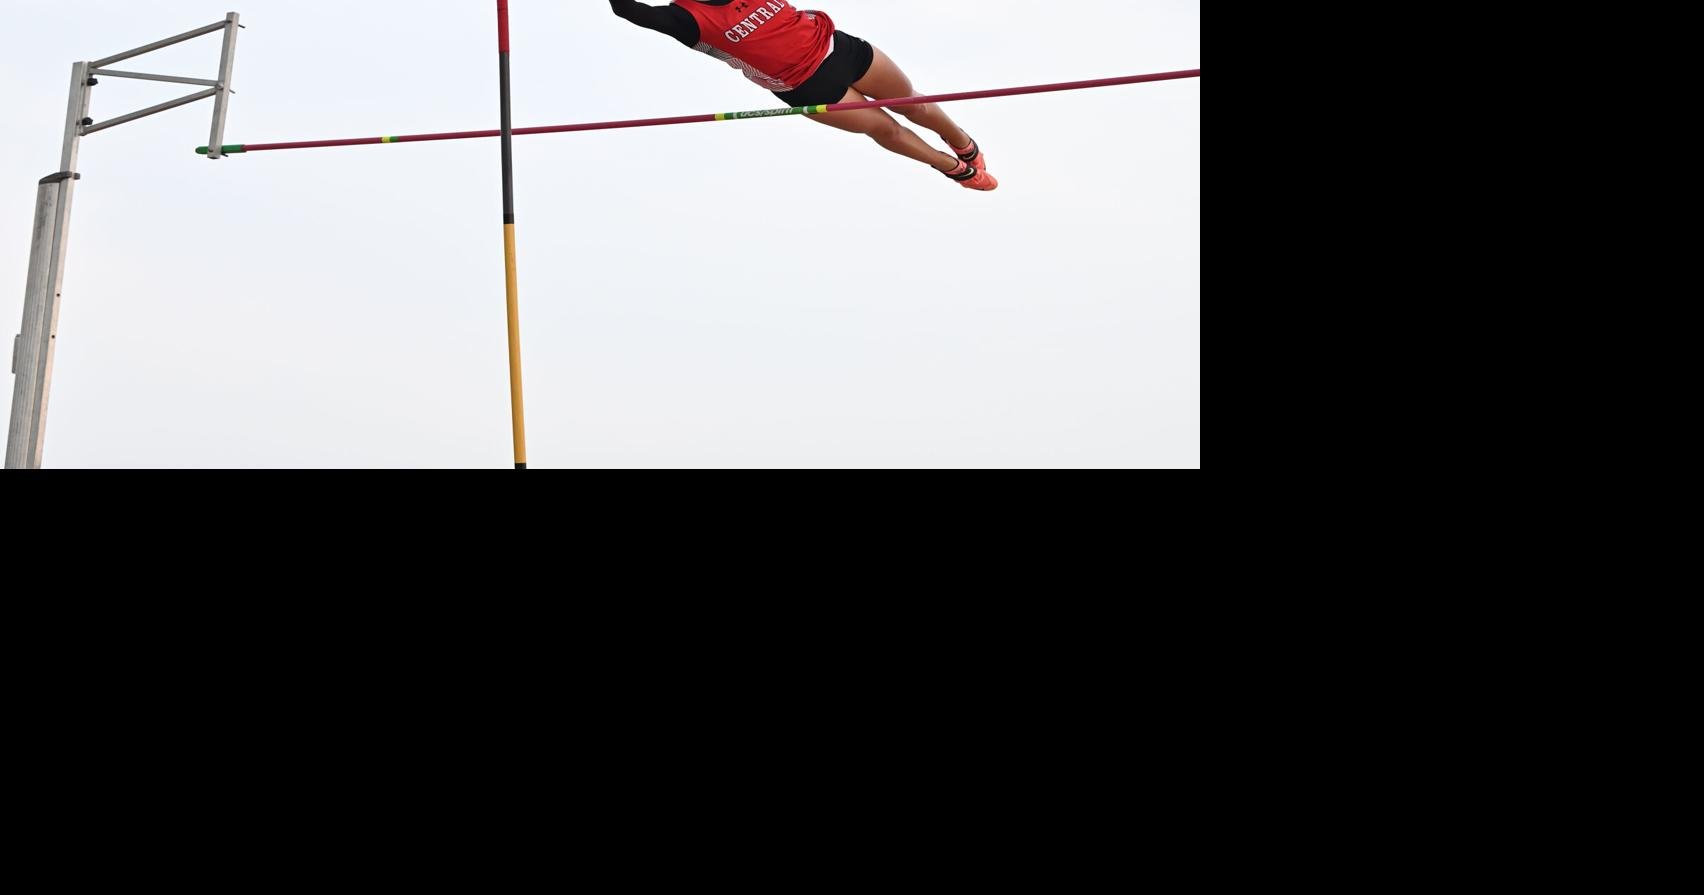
[759, 294]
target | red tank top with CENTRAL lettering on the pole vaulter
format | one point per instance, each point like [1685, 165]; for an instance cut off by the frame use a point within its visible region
[771, 42]
